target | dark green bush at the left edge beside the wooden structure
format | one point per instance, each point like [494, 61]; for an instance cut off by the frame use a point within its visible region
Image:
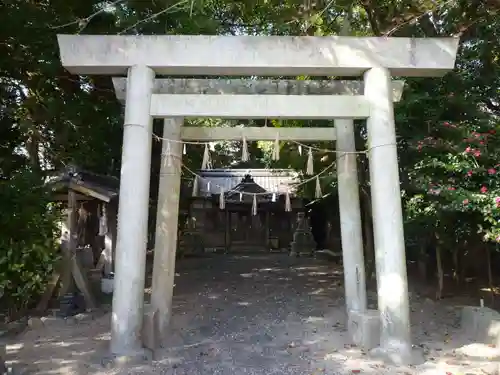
[27, 242]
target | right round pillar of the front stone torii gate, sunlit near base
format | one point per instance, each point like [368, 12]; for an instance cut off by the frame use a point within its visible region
[390, 258]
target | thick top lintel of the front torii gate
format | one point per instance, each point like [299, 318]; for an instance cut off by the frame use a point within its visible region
[257, 55]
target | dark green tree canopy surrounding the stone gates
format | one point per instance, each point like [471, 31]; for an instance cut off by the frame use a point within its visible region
[447, 128]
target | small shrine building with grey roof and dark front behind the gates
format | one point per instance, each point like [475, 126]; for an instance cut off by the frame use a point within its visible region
[235, 228]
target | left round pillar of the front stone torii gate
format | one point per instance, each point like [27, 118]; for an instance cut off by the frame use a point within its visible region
[130, 266]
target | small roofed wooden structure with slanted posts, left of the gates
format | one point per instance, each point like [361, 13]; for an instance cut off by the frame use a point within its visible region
[89, 233]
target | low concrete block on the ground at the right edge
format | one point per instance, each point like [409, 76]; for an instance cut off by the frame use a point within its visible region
[481, 324]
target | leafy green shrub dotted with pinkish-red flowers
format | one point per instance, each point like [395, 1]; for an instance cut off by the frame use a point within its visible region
[459, 178]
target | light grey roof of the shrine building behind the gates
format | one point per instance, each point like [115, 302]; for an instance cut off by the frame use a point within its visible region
[263, 180]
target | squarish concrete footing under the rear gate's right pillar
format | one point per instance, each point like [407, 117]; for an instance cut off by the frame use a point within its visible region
[364, 328]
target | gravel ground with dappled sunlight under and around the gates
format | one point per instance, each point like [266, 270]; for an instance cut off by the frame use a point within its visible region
[251, 315]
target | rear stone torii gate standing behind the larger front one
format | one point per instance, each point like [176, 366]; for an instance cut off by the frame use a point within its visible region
[183, 90]
